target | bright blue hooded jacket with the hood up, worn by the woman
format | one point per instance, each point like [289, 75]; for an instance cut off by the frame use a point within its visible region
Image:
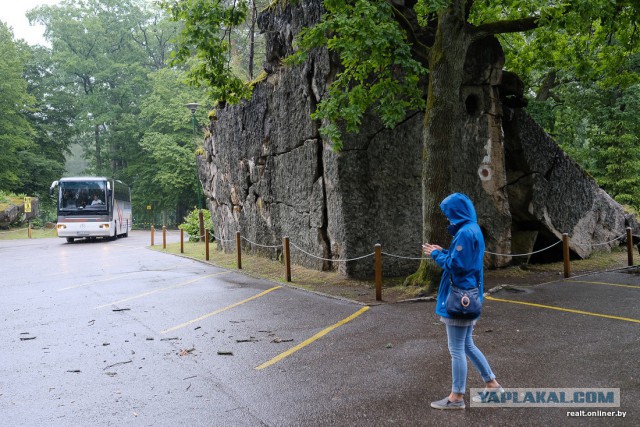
[464, 260]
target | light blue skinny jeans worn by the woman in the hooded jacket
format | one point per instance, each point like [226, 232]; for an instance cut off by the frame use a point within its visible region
[460, 346]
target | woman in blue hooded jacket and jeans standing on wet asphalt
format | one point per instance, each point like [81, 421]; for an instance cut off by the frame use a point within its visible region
[463, 264]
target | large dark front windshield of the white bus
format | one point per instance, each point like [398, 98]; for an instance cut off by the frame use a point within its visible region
[83, 196]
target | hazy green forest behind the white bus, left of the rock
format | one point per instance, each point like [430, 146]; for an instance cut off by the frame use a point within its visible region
[104, 99]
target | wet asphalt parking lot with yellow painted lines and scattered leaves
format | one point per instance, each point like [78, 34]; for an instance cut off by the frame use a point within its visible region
[110, 333]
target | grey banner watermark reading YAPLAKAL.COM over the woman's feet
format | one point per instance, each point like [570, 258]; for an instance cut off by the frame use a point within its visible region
[547, 397]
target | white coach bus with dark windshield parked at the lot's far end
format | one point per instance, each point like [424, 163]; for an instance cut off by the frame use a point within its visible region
[90, 207]
